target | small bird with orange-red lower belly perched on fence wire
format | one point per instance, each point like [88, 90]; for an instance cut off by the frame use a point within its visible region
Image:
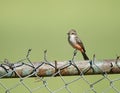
[76, 43]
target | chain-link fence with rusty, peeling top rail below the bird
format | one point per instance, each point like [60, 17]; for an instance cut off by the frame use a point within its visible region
[60, 77]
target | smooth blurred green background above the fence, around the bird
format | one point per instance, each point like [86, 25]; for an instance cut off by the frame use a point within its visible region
[43, 24]
